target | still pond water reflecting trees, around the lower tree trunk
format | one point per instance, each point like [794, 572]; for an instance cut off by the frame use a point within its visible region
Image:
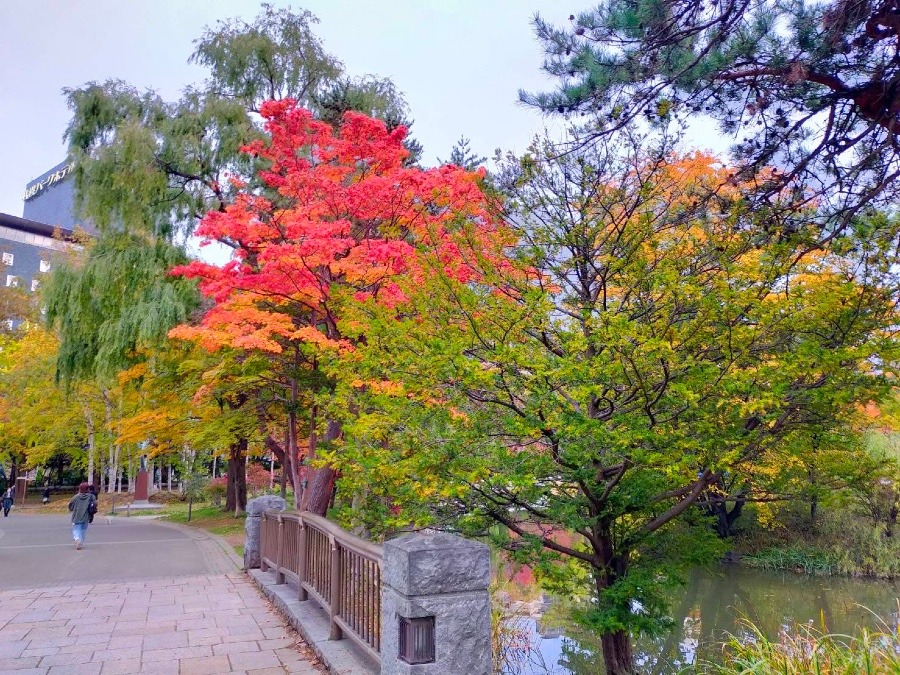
[712, 604]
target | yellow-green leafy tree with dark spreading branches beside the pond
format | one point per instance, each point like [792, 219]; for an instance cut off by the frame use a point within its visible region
[645, 350]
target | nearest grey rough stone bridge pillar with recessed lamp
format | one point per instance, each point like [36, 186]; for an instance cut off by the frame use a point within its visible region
[436, 609]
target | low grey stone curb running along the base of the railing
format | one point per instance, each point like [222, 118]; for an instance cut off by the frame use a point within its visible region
[341, 657]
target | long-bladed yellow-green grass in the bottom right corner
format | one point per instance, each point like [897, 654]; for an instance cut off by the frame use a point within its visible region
[806, 651]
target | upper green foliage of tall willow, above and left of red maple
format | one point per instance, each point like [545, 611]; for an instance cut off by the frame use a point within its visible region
[159, 166]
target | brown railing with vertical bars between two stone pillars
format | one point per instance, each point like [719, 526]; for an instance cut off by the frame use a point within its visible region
[340, 571]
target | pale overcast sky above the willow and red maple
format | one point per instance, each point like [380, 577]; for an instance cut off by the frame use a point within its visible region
[460, 64]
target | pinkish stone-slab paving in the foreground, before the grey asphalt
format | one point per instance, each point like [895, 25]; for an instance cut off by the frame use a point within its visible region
[195, 625]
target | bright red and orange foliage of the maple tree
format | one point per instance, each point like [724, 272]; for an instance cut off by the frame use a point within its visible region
[340, 219]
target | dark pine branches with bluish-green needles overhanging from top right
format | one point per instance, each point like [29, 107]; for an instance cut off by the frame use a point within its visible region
[809, 87]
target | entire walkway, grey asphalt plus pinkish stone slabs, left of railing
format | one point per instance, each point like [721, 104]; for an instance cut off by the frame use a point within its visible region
[207, 618]
